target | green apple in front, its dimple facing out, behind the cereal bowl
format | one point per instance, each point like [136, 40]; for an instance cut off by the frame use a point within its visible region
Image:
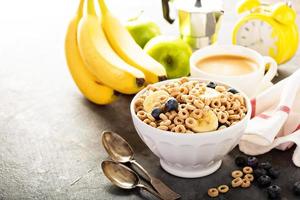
[173, 53]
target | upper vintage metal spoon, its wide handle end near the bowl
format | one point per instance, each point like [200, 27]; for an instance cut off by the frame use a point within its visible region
[120, 151]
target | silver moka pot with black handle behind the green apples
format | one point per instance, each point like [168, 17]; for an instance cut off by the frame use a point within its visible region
[197, 22]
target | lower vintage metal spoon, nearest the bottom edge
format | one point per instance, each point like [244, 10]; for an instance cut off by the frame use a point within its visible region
[124, 177]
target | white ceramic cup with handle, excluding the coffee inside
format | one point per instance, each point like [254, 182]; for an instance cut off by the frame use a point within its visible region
[248, 83]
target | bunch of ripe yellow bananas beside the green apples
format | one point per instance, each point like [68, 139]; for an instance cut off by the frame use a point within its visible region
[104, 58]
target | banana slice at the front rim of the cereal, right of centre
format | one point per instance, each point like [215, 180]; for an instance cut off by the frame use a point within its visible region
[208, 122]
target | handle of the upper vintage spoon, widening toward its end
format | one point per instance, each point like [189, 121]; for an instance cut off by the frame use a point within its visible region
[157, 184]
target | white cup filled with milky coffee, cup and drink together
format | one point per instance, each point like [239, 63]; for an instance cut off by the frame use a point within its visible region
[235, 65]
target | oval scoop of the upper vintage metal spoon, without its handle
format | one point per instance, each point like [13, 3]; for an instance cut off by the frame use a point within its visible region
[118, 149]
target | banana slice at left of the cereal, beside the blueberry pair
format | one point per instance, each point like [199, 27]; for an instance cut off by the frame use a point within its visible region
[155, 99]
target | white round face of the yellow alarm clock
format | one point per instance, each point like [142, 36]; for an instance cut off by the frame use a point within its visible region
[258, 35]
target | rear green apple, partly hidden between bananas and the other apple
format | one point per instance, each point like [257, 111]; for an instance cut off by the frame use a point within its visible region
[142, 31]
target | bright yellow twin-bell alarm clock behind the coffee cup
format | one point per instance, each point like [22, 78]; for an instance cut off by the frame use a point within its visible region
[271, 29]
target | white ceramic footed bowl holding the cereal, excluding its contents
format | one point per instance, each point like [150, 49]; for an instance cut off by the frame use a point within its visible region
[190, 155]
